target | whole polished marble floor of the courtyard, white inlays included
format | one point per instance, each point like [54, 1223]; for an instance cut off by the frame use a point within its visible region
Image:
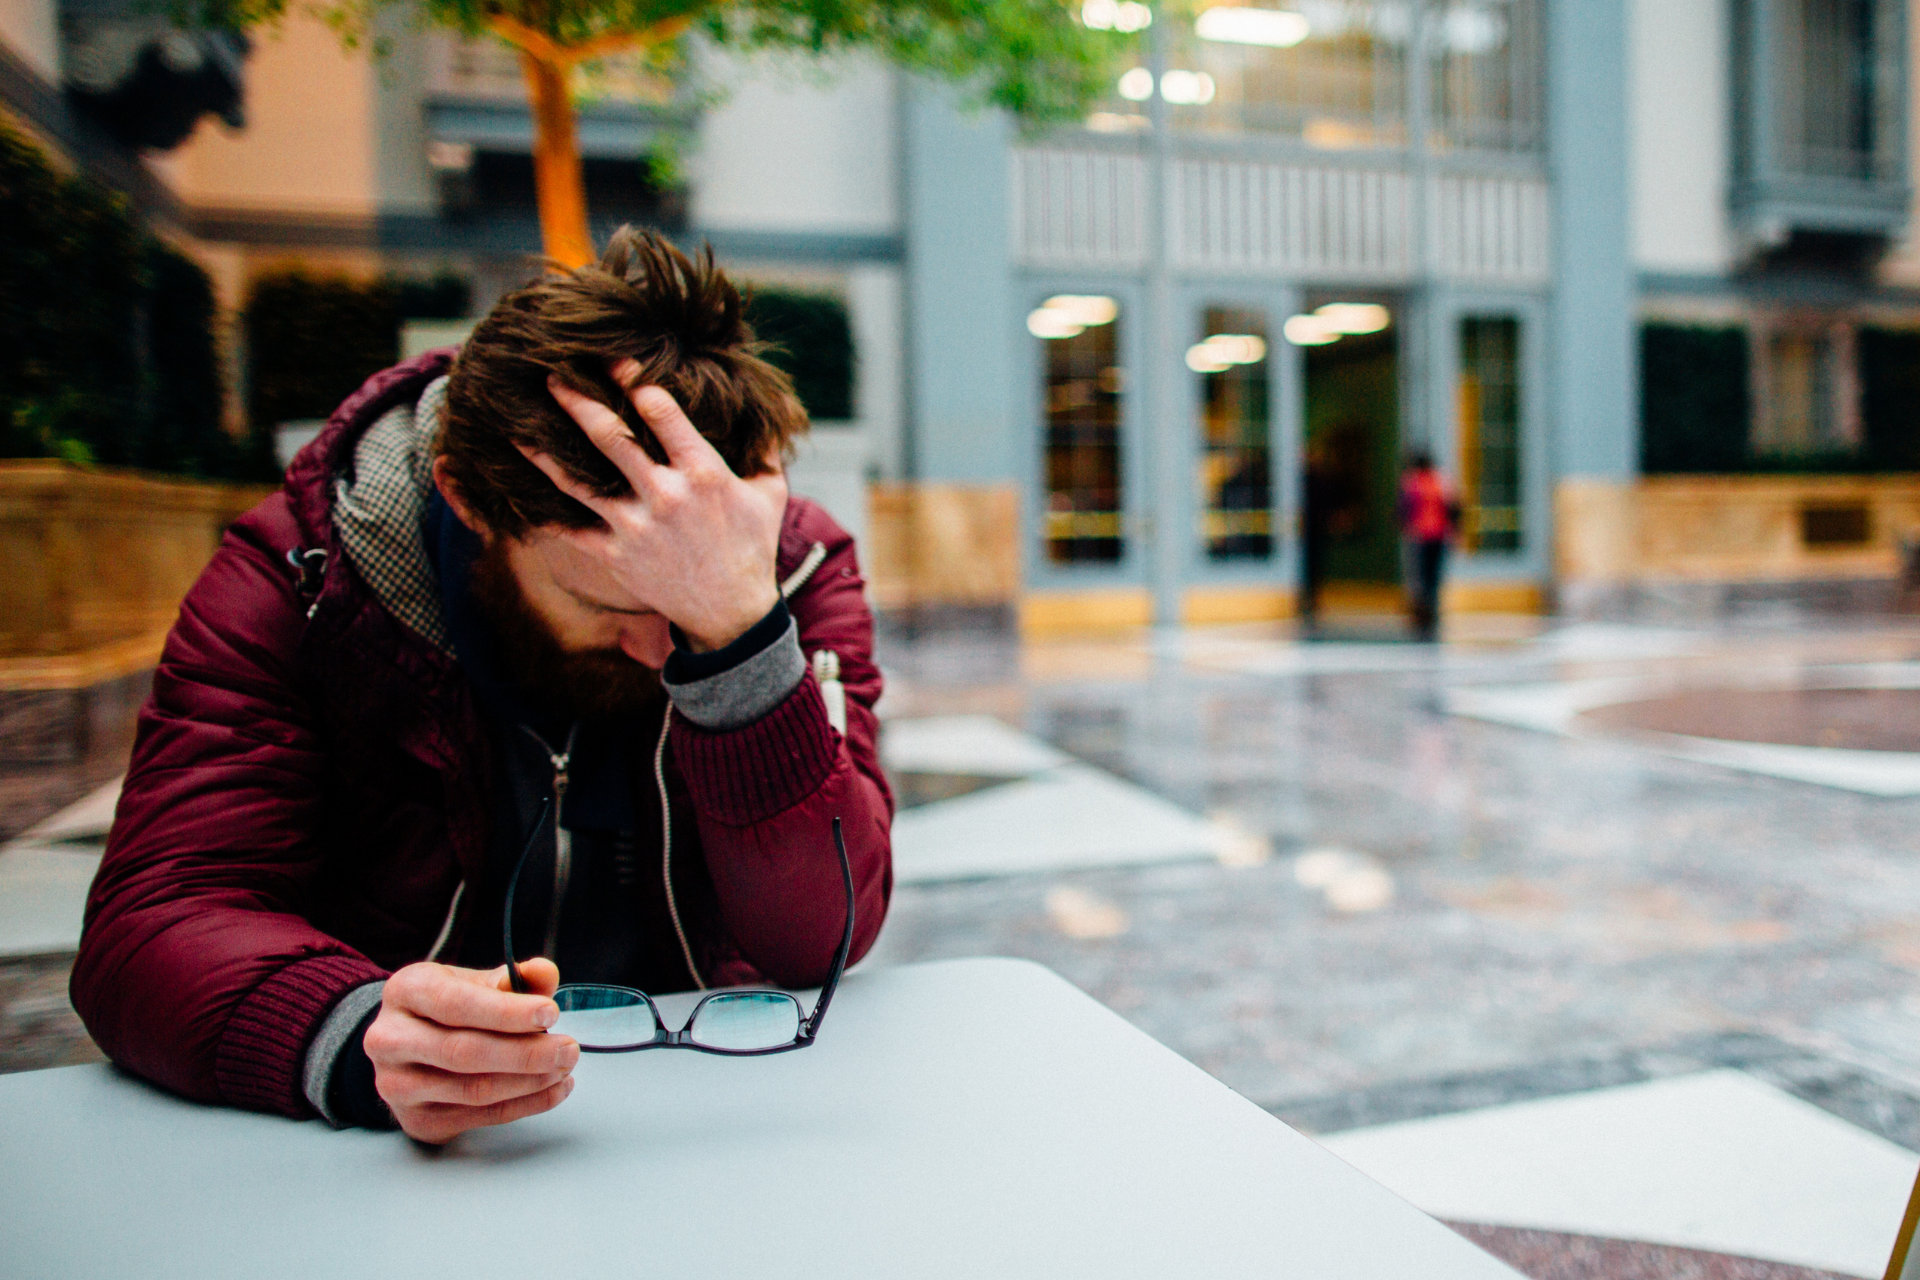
[1537, 876]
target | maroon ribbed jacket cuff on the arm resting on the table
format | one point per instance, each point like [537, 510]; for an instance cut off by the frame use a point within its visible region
[264, 1049]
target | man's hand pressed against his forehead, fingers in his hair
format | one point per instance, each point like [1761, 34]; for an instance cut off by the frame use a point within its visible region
[694, 542]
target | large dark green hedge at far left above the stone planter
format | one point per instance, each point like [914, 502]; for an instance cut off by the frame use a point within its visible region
[107, 335]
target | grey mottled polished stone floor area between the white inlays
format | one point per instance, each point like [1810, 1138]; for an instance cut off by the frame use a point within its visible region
[1449, 899]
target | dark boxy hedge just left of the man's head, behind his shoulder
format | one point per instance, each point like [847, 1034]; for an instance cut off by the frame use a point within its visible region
[312, 341]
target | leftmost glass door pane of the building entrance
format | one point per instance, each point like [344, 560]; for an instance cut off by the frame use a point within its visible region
[1082, 383]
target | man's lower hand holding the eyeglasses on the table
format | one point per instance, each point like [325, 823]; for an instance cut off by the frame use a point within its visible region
[456, 1049]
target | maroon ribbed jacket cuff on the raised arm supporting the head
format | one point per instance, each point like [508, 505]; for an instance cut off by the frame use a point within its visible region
[750, 774]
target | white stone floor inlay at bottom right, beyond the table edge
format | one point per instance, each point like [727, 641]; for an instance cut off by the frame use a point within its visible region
[1710, 1162]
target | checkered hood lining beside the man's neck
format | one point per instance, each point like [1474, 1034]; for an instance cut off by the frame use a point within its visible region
[381, 511]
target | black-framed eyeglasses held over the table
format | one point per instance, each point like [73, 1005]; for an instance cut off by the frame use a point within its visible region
[742, 1024]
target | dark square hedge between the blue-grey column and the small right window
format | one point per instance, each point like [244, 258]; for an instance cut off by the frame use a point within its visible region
[1692, 400]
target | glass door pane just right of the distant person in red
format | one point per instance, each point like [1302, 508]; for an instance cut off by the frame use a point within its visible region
[1491, 433]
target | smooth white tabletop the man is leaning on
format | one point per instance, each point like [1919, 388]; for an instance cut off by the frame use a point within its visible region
[972, 1118]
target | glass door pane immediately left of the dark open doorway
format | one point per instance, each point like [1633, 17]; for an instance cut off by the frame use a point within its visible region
[1236, 454]
